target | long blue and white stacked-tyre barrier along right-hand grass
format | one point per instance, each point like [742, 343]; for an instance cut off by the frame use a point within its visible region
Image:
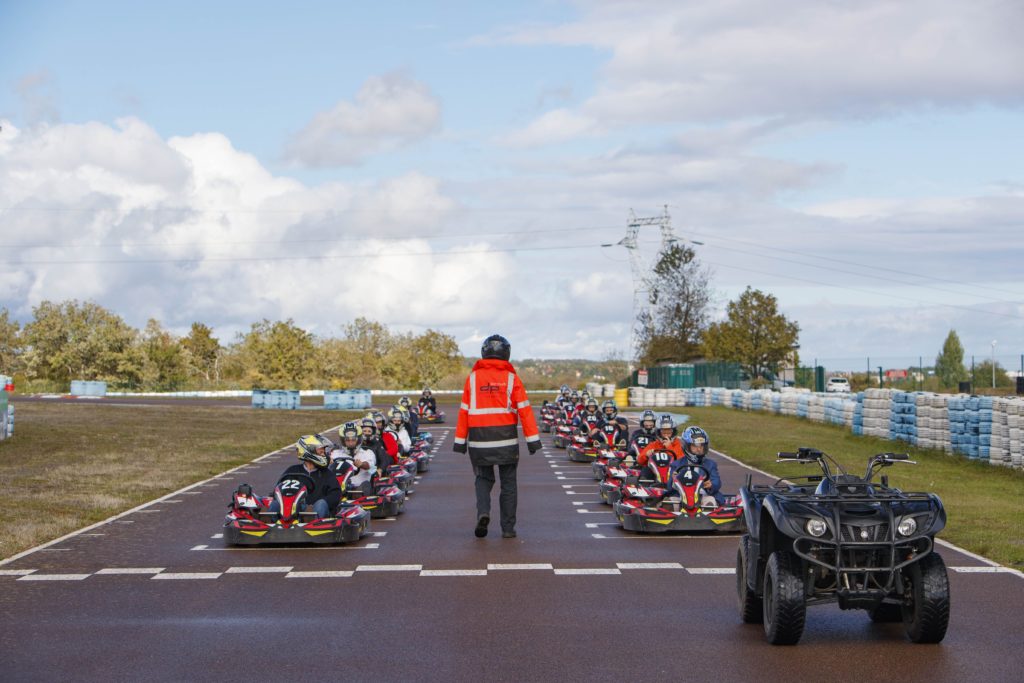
[979, 428]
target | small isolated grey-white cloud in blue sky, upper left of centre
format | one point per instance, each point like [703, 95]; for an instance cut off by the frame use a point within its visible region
[390, 112]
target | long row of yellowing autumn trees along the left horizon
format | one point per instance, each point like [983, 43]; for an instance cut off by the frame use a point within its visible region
[73, 340]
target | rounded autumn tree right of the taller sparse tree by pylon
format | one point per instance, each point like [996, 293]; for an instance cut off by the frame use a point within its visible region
[755, 334]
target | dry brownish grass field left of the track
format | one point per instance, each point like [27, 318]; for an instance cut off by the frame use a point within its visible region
[70, 464]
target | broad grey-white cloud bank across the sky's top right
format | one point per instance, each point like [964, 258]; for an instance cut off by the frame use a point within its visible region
[711, 61]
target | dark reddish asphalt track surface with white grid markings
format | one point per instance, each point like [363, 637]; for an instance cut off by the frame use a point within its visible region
[154, 595]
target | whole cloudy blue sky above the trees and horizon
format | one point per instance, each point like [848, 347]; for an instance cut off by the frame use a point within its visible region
[389, 139]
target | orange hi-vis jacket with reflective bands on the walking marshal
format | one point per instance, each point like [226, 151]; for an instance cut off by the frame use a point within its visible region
[494, 401]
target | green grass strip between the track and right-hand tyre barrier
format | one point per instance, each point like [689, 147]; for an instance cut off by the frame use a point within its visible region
[985, 504]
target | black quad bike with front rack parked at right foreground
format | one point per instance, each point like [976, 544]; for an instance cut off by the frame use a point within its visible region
[844, 539]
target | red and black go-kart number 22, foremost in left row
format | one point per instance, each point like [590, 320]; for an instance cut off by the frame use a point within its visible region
[250, 521]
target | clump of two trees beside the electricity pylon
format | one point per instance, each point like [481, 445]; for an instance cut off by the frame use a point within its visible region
[678, 327]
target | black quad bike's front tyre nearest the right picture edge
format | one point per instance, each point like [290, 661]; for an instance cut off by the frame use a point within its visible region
[927, 616]
